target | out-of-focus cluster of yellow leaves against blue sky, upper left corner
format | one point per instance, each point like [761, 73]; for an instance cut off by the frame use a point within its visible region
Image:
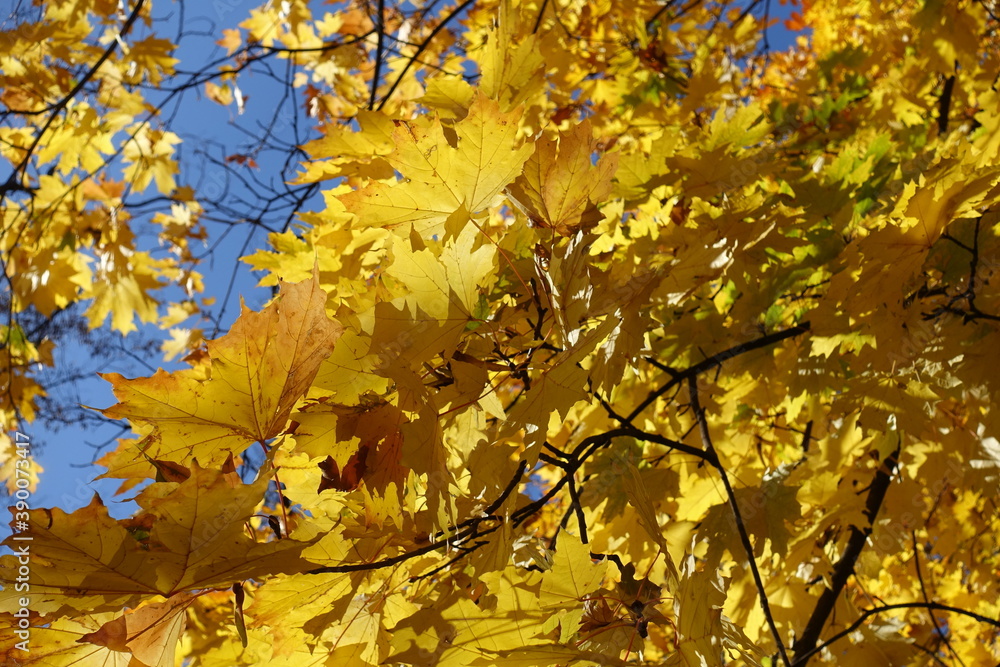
[66, 233]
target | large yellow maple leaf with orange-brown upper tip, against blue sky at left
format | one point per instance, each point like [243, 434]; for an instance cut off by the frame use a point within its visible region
[259, 370]
